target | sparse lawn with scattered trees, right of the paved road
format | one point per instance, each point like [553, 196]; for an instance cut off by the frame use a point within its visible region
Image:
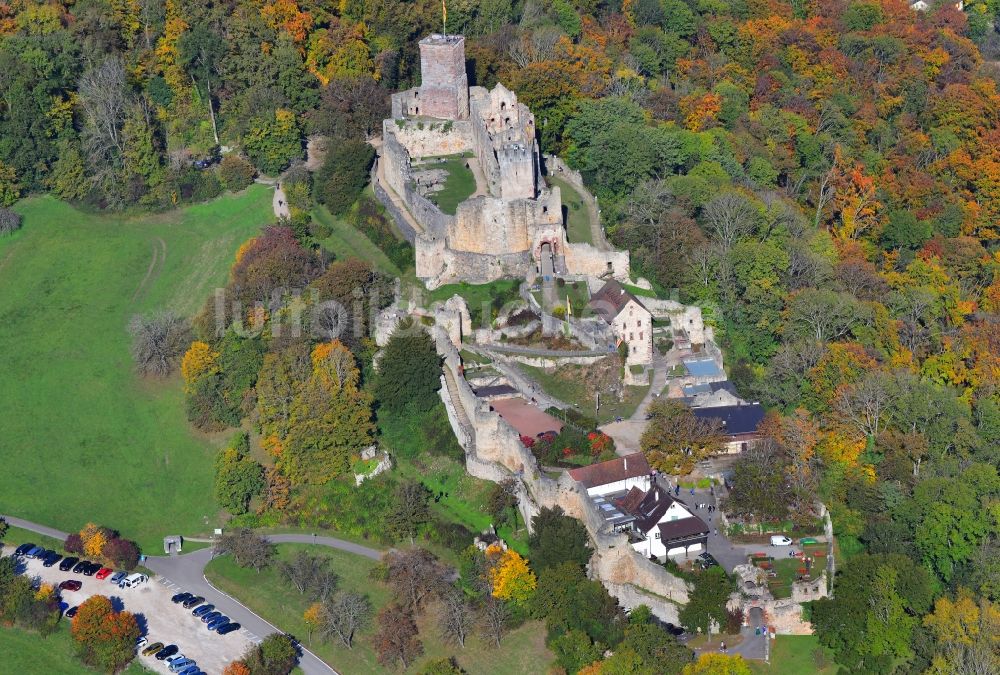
[522, 651]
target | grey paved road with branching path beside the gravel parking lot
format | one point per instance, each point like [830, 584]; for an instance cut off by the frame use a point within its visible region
[187, 572]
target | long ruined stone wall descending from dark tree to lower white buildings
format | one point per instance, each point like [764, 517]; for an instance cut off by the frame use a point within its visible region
[494, 450]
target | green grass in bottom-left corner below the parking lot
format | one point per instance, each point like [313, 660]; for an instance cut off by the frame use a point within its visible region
[24, 652]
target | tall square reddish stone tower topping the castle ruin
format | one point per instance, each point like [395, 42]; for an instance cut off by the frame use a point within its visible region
[444, 87]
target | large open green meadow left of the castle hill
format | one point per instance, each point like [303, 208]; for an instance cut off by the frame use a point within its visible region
[83, 438]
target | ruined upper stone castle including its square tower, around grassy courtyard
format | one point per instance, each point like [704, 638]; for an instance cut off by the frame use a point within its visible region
[513, 224]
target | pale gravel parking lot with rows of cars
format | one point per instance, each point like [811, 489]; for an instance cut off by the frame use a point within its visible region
[160, 620]
